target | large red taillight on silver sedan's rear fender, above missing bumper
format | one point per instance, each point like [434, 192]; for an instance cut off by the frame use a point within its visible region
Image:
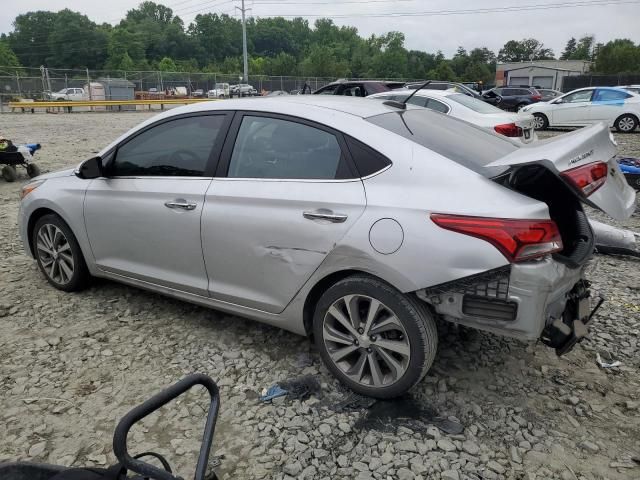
[517, 239]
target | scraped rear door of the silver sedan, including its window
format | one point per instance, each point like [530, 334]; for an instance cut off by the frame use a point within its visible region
[287, 196]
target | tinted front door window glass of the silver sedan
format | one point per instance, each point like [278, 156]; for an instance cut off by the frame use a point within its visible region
[178, 147]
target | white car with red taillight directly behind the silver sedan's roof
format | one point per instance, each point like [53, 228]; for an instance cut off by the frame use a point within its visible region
[518, 126]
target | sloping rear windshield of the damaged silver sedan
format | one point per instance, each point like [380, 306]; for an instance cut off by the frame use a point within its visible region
[455, 139]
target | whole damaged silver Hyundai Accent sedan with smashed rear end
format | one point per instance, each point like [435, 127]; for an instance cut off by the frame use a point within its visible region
[347, 219]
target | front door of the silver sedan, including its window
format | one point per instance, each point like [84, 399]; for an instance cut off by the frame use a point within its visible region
[143, 219]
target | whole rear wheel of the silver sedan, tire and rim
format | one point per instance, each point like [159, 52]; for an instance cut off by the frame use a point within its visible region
[373, 338]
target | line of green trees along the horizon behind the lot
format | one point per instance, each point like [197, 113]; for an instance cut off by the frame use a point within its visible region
[151, 37]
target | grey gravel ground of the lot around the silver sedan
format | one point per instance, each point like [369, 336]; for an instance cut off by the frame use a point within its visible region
[73, 364]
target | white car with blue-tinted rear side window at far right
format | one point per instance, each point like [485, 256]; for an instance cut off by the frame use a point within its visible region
[617, 107]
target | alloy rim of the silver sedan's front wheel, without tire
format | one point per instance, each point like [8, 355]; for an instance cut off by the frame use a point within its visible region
[54, 252]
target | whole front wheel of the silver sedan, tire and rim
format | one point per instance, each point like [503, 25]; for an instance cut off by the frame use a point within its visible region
[58, 254]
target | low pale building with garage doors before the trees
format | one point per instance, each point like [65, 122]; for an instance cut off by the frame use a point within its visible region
[539, 73]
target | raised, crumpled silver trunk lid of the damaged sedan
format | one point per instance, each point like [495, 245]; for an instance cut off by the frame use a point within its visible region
[576, 149]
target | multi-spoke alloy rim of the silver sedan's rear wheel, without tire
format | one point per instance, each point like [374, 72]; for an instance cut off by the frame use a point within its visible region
[366, 341]
